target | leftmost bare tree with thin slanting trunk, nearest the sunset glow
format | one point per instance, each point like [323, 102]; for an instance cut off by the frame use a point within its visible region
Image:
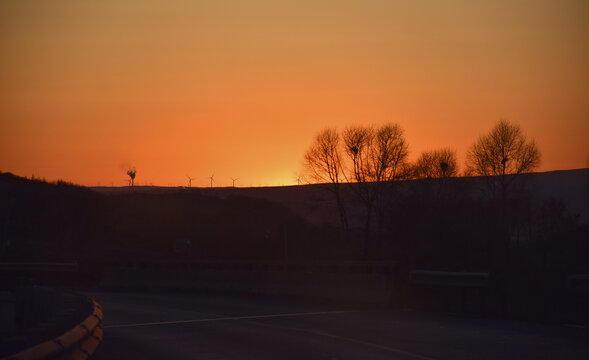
[323, 164]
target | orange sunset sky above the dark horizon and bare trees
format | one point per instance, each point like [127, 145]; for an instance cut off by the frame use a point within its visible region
[239, 88]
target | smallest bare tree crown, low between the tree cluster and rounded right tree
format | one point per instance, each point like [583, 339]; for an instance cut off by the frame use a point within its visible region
[436, 164]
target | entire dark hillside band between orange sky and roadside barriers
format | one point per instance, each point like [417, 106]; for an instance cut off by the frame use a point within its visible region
[443, 224]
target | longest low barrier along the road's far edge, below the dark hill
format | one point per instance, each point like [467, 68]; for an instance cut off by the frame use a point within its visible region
[349, 282]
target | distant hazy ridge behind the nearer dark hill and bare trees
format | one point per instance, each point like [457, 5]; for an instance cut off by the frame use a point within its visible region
[315, 203]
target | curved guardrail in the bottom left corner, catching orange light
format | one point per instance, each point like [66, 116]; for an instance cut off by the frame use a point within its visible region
[77, 343]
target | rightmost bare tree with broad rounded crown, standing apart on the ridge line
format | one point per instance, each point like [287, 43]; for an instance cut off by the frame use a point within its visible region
[501, 156]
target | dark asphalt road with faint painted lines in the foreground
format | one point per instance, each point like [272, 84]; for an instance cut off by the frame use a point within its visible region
[192, 326]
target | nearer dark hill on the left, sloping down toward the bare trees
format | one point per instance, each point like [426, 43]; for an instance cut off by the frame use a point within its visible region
[60, 221]
